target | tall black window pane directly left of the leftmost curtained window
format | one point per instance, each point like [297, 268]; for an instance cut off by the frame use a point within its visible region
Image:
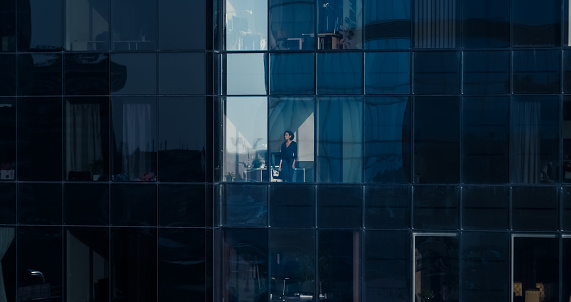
[39, 128]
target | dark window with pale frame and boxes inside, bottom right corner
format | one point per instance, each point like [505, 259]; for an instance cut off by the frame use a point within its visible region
[535, 267]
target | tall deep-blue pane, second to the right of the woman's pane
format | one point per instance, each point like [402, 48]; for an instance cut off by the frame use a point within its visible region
[387, 140]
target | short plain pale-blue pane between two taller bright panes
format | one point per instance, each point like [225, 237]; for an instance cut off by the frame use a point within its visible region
[246, 74]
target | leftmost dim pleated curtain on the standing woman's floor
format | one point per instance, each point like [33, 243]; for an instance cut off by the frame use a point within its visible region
[83, 136]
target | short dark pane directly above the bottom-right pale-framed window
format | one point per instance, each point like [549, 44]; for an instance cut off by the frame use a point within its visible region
[535, 208]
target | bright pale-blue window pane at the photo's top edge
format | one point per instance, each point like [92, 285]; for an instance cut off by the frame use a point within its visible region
[246, 24]
